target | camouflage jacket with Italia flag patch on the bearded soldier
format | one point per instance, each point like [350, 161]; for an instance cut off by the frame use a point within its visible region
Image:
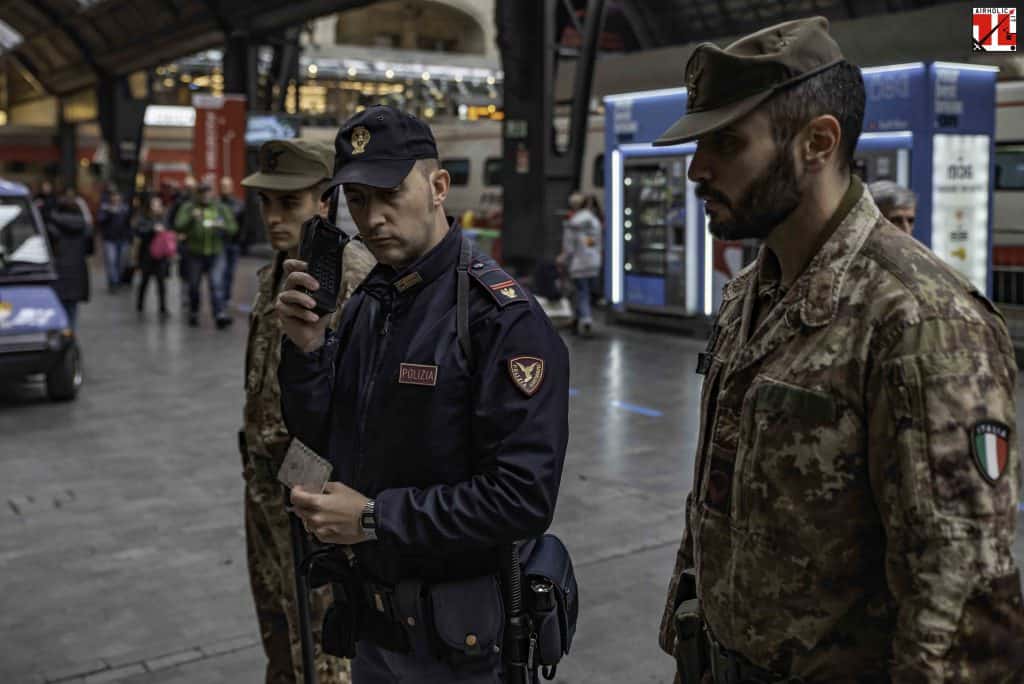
[858, 474]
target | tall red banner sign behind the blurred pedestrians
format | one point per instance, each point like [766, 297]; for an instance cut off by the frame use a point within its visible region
[220, 140]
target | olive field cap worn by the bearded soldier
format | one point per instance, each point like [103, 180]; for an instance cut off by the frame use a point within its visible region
[724, 85]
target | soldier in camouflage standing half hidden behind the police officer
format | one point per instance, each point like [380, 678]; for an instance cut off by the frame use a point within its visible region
[291, 178]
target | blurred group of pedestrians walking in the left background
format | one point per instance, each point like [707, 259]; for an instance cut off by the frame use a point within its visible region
[193, 230]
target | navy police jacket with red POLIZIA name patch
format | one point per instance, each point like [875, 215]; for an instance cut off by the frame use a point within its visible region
[459, 459]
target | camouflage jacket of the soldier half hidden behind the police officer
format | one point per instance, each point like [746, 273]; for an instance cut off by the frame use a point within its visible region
[267, 437]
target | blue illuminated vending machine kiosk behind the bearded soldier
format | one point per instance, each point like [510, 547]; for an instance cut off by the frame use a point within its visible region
[927, 126]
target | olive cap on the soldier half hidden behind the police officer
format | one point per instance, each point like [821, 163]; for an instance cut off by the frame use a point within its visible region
[291, 165]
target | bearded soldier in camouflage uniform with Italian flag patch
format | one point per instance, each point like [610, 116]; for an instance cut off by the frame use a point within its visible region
[858, 468]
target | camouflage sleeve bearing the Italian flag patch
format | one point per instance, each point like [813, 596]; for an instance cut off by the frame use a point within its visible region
[945, 467]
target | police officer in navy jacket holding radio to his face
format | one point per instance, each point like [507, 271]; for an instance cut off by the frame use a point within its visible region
[442, 455]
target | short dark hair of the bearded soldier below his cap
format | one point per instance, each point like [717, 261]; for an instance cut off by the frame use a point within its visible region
[839, 92]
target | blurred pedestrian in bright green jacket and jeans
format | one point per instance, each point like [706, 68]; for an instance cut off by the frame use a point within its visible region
[204, 225]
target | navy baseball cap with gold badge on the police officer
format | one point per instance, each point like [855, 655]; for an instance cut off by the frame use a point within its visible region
[379, 146]
